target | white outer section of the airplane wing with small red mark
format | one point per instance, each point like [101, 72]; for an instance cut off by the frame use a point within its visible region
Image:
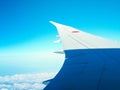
[72, 38]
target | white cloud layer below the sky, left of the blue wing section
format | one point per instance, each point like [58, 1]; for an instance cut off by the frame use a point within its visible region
[25, 81]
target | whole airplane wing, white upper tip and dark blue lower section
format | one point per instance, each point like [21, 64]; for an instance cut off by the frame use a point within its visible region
[91, 62]
